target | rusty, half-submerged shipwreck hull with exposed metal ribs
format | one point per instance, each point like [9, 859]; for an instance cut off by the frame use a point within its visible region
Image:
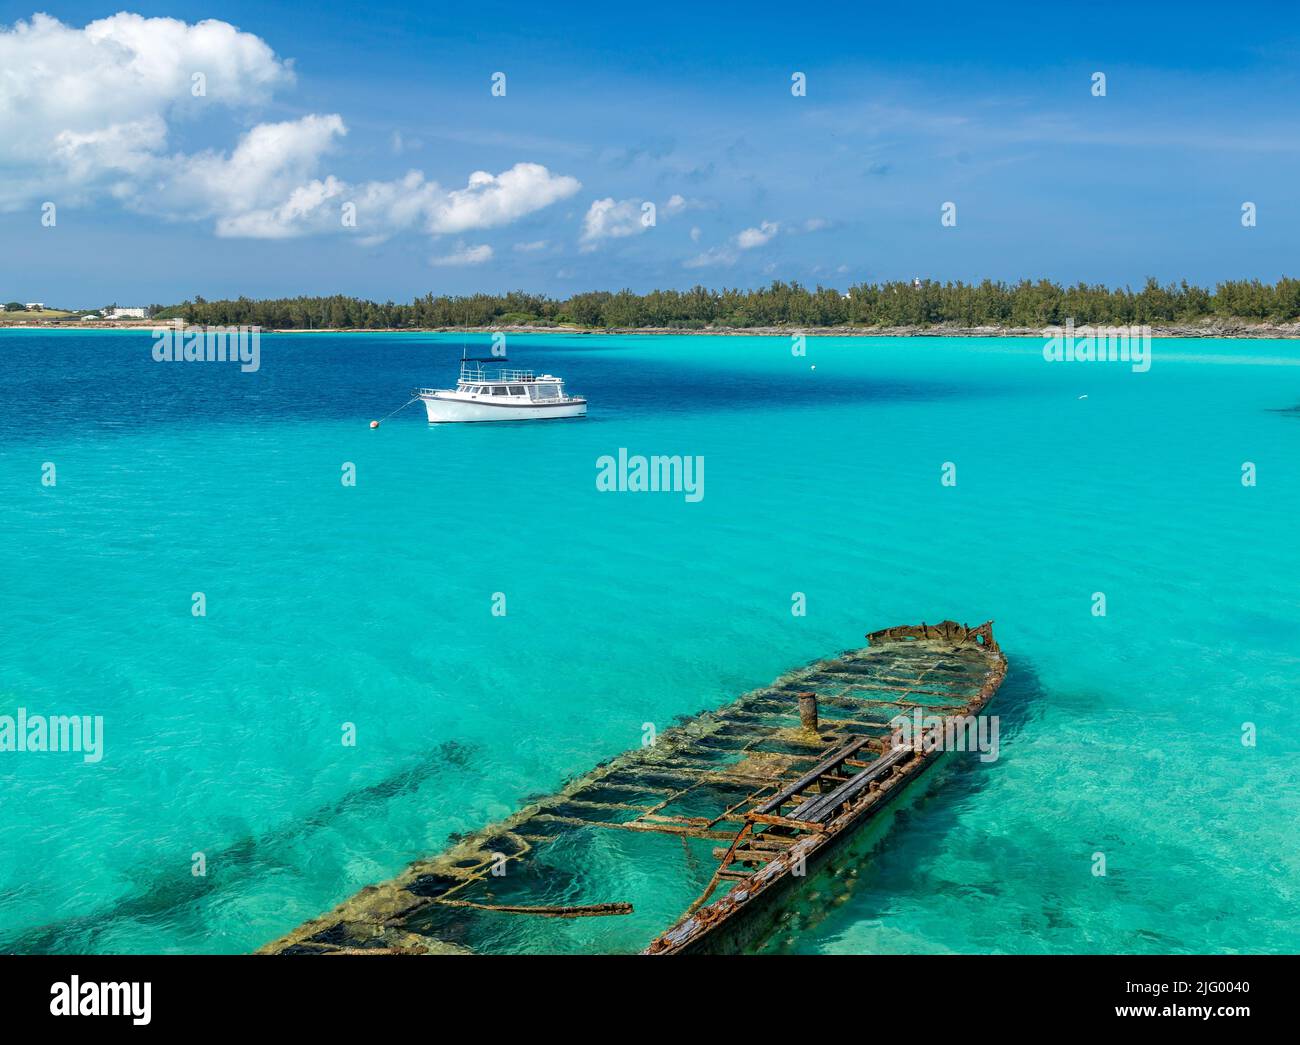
[779, 782]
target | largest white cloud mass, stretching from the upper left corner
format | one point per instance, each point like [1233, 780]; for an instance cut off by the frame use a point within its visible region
[88, 112]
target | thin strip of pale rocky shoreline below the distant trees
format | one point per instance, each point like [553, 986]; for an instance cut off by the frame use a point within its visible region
[1220, 331]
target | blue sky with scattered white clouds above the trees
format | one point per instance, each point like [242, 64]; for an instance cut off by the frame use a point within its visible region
[171, 150]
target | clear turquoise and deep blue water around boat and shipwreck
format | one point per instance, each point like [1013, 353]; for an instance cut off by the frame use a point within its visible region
[372, 606]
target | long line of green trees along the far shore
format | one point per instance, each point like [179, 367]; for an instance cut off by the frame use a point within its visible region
[925, 303]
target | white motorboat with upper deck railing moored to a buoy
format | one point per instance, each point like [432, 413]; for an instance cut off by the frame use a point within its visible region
[500, 396]
